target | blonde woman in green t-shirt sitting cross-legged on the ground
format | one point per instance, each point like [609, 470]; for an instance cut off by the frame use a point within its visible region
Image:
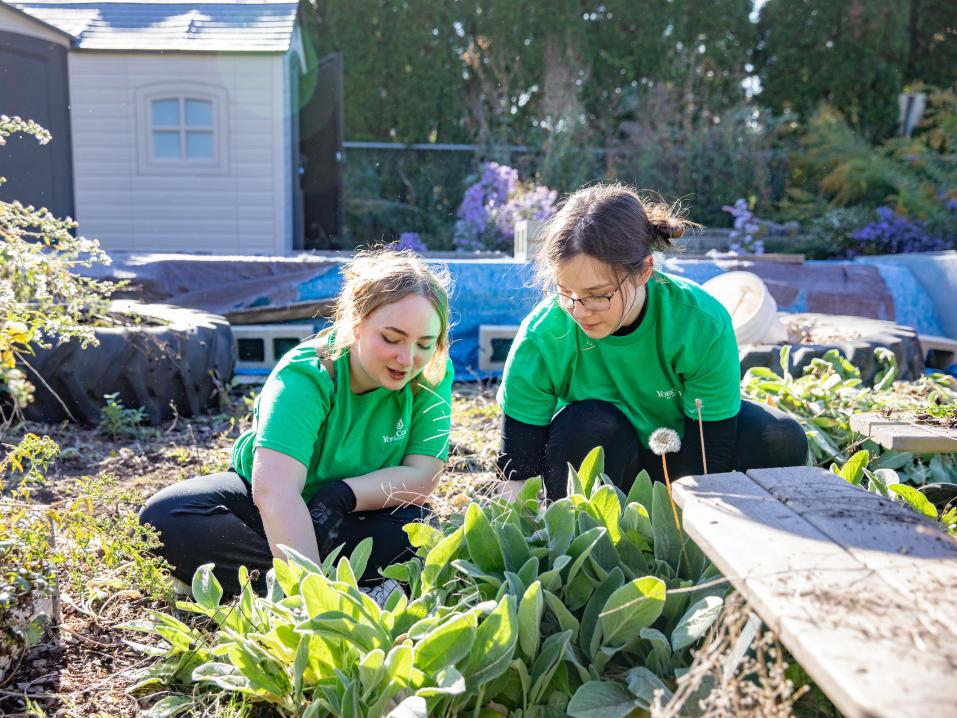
[349, 436]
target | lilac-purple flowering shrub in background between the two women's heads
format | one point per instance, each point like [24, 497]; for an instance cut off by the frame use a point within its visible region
[491, 207]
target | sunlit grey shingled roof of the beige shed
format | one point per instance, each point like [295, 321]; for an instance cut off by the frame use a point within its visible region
[217, 26]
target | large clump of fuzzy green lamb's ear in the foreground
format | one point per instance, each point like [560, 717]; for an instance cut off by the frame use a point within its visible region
[583, 606]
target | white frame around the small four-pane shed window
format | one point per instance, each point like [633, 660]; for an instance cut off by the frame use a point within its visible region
[182, 91]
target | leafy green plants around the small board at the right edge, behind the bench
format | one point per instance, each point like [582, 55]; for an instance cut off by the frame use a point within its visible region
[830, 391]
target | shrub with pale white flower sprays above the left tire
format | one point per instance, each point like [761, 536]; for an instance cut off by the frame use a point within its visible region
[40, 296]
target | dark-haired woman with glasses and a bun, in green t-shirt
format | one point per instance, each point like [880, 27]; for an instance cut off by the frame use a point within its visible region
[618, 349]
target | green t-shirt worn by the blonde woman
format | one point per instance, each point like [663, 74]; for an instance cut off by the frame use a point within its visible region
[303, 413]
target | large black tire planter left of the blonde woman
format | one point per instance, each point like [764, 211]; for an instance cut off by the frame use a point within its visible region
[162, 358]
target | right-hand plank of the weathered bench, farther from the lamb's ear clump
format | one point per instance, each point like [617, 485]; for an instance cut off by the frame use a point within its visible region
[907, 551]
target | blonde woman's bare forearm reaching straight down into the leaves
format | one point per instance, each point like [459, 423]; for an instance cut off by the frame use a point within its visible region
[278, 481]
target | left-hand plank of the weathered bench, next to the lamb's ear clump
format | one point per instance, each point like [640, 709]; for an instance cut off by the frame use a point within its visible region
[859, 639]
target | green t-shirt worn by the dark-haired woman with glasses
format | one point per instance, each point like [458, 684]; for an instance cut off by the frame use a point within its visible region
[684, 349]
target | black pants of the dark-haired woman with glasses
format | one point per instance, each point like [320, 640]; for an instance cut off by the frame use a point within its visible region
[765, 437]
